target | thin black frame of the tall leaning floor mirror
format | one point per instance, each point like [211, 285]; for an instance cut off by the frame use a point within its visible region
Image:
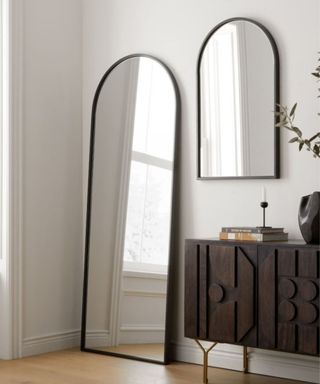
[88, 213]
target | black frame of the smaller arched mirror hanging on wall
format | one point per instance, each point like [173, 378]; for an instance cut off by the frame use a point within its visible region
[276, 174]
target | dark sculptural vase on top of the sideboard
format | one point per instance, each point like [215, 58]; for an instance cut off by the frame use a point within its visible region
[309, 218]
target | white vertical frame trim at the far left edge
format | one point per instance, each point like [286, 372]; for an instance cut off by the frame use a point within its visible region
[11, 182]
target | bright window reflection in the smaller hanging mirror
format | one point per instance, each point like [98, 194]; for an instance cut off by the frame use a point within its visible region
[221, 142]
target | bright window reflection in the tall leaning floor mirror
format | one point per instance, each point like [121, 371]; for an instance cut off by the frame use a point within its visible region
[149, 201]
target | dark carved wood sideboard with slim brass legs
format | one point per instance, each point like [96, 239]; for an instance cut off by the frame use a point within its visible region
[261, 295]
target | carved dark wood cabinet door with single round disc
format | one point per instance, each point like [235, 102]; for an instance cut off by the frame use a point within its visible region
[221, 290]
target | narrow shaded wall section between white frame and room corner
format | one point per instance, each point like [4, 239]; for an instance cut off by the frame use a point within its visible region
[51, 65]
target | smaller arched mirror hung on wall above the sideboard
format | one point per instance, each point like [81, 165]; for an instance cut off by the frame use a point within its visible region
[238, 93]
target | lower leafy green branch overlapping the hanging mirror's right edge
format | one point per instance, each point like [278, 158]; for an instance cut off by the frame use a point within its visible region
[286, 120]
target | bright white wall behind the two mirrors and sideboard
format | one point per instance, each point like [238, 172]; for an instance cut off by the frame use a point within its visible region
[173, 31]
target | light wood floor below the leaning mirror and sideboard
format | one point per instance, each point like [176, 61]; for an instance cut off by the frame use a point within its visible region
[75, 367]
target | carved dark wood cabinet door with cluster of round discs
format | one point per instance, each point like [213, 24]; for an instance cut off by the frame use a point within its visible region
[289, 299]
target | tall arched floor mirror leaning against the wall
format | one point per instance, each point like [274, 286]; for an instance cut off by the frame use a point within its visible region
[129, 238]
